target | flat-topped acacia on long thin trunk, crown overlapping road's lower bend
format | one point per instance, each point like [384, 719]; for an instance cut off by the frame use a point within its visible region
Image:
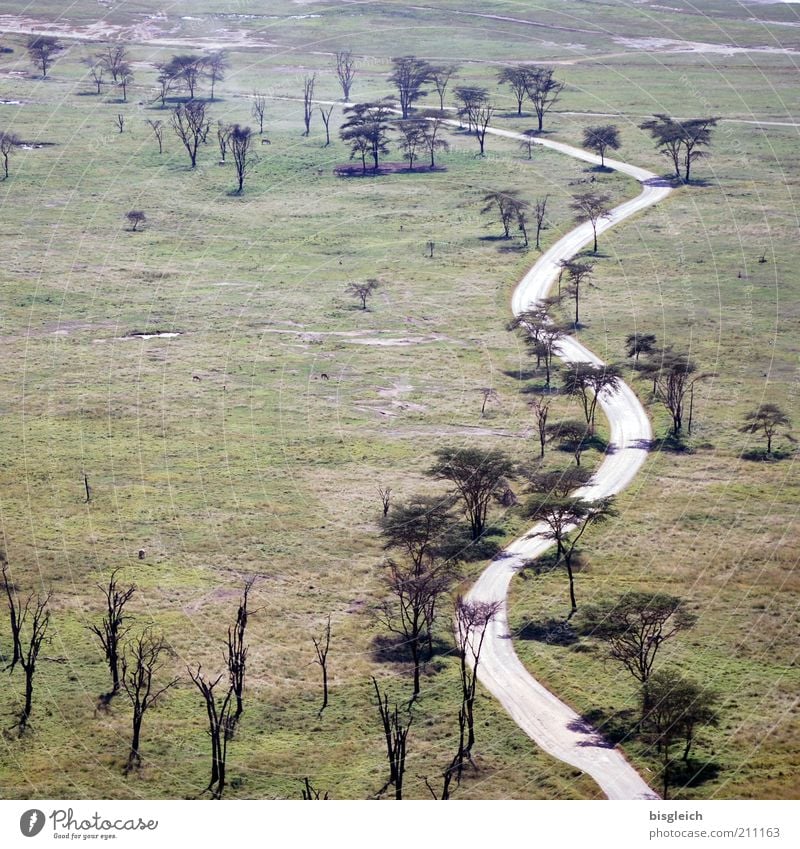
[566, 520]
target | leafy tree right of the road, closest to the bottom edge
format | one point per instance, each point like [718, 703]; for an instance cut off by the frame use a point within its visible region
[678, 708]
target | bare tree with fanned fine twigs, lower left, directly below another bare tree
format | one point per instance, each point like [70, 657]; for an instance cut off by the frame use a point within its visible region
[141, 662]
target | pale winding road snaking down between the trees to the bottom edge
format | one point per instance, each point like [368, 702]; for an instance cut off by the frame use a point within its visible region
[552, 724]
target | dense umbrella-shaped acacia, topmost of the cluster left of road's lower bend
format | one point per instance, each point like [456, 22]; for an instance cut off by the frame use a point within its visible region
[477, 477]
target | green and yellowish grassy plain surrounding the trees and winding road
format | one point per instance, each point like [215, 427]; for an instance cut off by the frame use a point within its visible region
[263, 468]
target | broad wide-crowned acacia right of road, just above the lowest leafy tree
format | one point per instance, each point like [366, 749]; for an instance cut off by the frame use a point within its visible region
[635, 626]
